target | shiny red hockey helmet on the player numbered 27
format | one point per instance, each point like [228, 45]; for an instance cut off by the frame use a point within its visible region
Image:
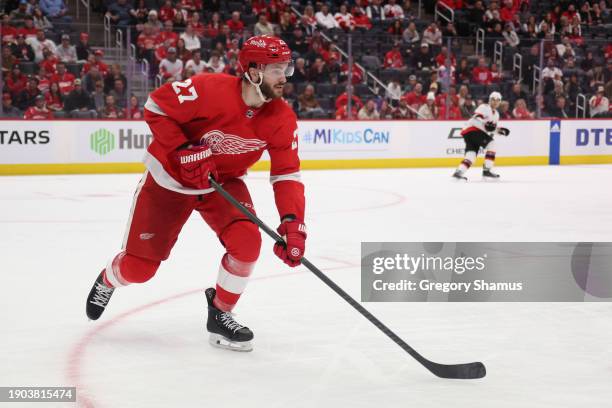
[263, 50]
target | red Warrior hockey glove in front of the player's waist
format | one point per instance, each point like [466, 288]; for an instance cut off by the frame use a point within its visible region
[195, 164]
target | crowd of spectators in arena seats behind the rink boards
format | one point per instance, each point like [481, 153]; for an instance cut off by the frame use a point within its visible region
[425, 67]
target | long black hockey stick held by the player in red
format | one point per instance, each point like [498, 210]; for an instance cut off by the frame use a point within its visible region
[460, 371]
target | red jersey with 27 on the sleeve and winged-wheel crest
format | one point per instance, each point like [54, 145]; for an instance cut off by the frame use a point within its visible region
[209, 108]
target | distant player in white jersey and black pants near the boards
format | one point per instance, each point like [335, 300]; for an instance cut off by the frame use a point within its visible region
[478, 133]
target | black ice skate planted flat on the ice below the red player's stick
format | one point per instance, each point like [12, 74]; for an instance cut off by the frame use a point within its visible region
[224, 331]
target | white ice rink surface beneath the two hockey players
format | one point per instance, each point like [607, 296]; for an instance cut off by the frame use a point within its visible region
[150, 347]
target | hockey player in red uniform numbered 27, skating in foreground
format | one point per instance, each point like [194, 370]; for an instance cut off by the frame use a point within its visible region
[219, 125]
